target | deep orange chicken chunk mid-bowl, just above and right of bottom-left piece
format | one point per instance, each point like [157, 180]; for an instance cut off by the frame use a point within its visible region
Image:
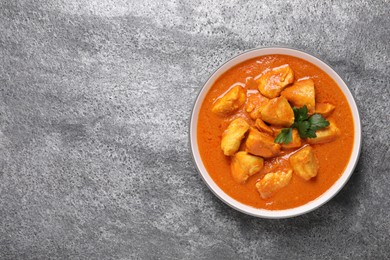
[261, 144]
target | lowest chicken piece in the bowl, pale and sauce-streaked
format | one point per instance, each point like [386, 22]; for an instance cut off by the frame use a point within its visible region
[273, 182]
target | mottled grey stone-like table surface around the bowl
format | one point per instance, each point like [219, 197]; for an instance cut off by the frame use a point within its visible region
[94, 109]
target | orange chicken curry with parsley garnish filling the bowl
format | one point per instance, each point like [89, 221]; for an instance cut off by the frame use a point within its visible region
[275, 132]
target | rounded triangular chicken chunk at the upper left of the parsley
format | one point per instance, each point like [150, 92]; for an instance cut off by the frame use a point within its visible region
[278, 112]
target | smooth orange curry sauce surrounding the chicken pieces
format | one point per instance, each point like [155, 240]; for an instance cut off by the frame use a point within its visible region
[333, 157]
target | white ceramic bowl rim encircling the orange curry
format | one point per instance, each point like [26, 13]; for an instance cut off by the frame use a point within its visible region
[263, 213]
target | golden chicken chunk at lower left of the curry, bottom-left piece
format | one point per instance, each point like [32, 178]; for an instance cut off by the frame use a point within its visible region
[245, 165]
